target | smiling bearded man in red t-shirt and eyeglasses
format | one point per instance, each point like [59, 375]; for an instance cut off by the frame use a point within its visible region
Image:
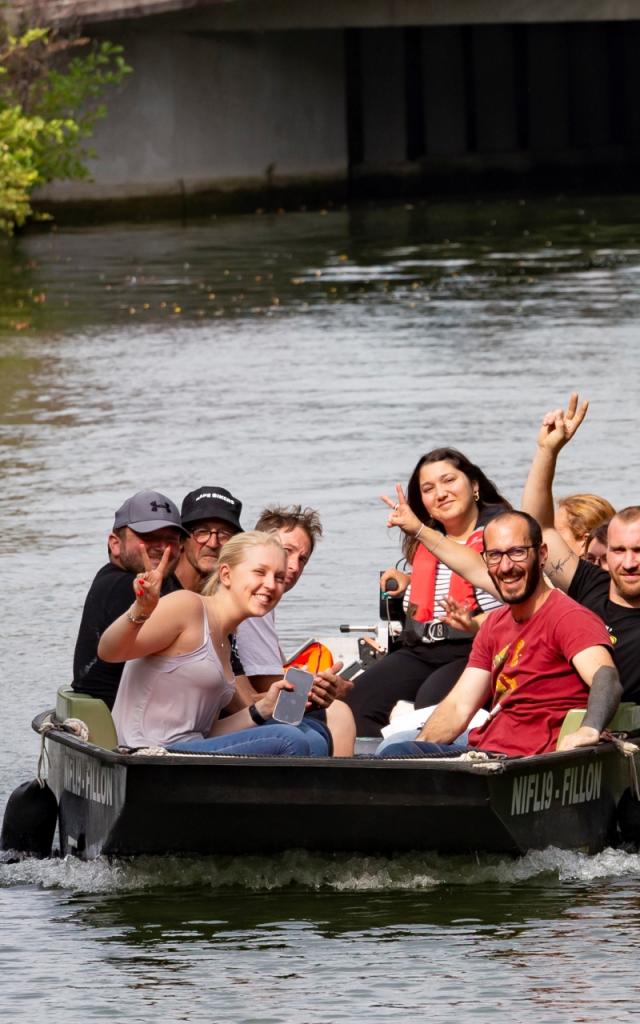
[538, 657]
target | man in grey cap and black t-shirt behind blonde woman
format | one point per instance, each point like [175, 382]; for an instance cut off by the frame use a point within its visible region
[147, 521]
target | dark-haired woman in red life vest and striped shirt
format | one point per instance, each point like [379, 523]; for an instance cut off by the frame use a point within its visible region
[447, 496]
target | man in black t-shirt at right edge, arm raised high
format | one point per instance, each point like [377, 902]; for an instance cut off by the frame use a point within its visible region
[614, 595]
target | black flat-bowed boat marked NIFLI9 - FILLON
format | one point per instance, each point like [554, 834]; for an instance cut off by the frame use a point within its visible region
[115, 803]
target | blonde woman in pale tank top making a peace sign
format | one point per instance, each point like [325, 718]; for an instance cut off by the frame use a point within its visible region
[179, 678]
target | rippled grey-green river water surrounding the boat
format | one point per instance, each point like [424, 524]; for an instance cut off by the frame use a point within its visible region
[311, 358]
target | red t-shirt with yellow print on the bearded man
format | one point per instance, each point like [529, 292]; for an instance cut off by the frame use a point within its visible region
[534, 682]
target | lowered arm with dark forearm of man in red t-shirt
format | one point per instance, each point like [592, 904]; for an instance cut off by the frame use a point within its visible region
[595, 667]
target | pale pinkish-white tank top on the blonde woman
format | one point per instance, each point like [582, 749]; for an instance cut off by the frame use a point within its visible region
[164, 700]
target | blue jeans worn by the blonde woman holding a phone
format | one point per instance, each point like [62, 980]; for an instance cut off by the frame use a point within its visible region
[264, 741]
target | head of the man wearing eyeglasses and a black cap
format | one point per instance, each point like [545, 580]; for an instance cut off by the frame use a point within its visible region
[210, 517]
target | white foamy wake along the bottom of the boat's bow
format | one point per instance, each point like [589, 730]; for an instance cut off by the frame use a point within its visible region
[304, 871]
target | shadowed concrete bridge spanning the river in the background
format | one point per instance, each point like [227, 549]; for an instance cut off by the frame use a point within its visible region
[243, 102]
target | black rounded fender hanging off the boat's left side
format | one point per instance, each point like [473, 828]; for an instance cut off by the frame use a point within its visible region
[30, 820]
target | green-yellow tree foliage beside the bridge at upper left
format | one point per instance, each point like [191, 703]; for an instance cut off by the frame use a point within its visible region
[52, 89]
